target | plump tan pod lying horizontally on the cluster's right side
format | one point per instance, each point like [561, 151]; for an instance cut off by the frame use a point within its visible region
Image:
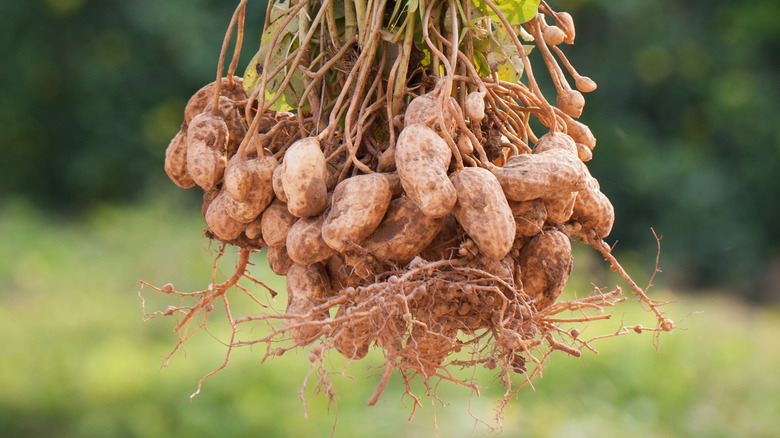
[548, 174]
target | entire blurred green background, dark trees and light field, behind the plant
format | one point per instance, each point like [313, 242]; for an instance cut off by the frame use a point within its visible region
[91, 92]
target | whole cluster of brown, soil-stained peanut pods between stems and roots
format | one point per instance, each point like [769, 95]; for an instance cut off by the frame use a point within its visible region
[328, 237]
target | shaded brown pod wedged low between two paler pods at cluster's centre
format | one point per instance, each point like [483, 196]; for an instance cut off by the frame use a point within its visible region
[403, 233]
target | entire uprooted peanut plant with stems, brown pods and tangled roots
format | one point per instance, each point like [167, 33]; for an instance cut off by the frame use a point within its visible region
[399, 164]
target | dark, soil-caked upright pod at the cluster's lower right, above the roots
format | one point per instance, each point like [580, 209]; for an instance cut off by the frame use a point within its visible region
[545, 265]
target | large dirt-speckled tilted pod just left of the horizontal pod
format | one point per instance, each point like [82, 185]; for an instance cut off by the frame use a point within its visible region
[483, 211]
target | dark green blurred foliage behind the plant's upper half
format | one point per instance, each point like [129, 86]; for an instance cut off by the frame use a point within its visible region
[686, 115]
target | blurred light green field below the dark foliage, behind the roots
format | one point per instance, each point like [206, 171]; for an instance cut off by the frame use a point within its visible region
[78, 361]
